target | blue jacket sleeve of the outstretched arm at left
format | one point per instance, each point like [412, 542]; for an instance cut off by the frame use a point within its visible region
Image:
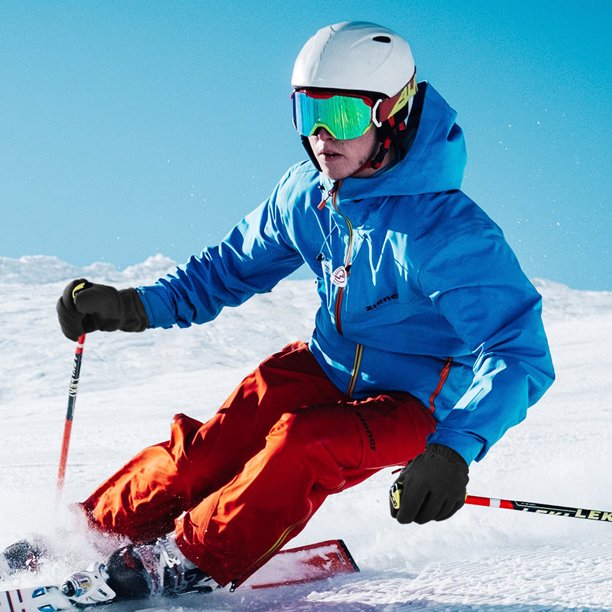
[255, 255]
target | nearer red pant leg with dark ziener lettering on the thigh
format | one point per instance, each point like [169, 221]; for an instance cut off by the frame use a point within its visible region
[309, 454]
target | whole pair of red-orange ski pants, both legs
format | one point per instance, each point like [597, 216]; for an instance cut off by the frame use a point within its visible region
[236, 488]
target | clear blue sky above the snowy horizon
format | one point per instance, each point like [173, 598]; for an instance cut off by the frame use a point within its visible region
[132, 128]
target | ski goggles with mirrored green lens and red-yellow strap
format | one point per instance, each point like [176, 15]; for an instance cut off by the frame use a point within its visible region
[345, 115]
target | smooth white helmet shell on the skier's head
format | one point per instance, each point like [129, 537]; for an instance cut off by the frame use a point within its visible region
[355, 56]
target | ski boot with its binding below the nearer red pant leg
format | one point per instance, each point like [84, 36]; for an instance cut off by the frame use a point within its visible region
[135, 572]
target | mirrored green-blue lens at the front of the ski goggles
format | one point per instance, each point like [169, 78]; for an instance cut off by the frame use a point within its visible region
[344, 117]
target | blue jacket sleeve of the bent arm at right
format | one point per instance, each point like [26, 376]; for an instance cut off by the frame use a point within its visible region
[476, 283]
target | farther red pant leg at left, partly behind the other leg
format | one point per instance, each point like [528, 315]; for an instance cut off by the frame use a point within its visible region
[143, 499]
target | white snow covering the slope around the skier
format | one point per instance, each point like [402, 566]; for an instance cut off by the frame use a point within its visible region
[132, 384]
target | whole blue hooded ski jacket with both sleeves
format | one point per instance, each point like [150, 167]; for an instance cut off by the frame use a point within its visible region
[419, 290]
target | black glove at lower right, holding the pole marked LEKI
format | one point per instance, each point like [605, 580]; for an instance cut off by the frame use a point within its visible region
[430, 488]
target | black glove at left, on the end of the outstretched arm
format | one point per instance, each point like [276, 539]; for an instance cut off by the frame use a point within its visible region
[85, 307]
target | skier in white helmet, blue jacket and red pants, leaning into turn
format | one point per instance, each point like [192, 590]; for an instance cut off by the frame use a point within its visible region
[428, 343]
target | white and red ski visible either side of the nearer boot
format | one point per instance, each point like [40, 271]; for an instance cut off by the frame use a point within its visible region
[297, 565]
